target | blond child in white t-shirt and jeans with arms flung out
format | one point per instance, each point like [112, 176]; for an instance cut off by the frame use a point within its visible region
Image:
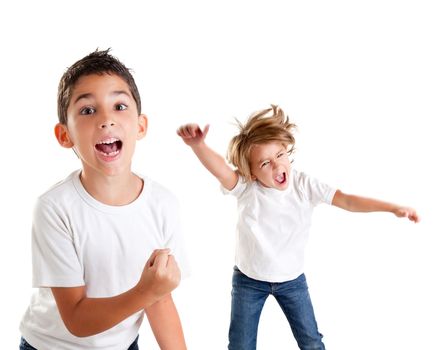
[275, 203]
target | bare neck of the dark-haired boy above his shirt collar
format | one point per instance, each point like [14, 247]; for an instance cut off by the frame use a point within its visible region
[112, 190]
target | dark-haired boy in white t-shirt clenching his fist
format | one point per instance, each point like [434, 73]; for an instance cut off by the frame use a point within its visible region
[100, 237]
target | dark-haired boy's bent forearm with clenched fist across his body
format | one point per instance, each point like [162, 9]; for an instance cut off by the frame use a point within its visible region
[85, 316]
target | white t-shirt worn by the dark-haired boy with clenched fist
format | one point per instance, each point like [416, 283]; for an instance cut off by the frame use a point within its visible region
[78, 241]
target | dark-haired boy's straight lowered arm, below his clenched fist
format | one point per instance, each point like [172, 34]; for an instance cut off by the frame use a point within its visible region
[166, 325]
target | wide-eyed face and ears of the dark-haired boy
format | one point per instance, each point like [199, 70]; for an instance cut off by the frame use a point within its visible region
[103, 124]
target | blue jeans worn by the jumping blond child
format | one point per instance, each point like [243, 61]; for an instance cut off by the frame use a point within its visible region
[248, 298]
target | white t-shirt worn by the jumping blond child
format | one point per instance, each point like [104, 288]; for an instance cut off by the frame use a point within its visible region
[273, 226]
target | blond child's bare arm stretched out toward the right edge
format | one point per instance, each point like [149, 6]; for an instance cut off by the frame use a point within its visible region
[363, 204]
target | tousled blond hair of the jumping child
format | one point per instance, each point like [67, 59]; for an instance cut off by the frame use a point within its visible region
[263, 126]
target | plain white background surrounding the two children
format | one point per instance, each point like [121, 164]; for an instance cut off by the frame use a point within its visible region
[359, 78]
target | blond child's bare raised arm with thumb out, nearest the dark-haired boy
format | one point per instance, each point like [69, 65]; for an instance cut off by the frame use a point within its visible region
[194, 137]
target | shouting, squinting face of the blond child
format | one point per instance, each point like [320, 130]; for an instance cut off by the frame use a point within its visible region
[269, 164]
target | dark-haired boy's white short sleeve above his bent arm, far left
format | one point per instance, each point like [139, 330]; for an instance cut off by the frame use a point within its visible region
[55, 262]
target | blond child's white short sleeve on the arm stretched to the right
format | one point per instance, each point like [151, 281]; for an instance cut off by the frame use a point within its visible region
[316, 191]
